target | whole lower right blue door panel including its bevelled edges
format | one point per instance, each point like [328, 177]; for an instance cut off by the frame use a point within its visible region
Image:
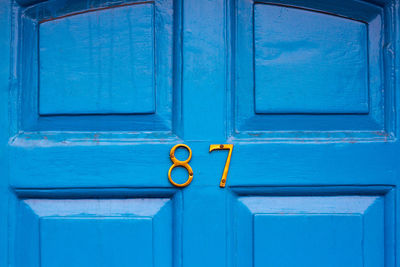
[310, 230]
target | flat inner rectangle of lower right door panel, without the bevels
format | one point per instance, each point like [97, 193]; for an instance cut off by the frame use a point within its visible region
[308, 240]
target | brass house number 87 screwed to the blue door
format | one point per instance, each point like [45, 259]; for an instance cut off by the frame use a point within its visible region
[185, 163]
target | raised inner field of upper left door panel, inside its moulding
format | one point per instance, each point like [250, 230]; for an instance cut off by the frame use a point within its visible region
[98, 62]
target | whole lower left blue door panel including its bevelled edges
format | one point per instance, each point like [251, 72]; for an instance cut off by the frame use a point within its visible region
[95, 232]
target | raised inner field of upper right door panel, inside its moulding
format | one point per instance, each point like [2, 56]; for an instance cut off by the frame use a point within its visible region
[317, 66]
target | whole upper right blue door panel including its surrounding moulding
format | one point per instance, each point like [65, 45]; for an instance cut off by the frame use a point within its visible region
[271, 94]
